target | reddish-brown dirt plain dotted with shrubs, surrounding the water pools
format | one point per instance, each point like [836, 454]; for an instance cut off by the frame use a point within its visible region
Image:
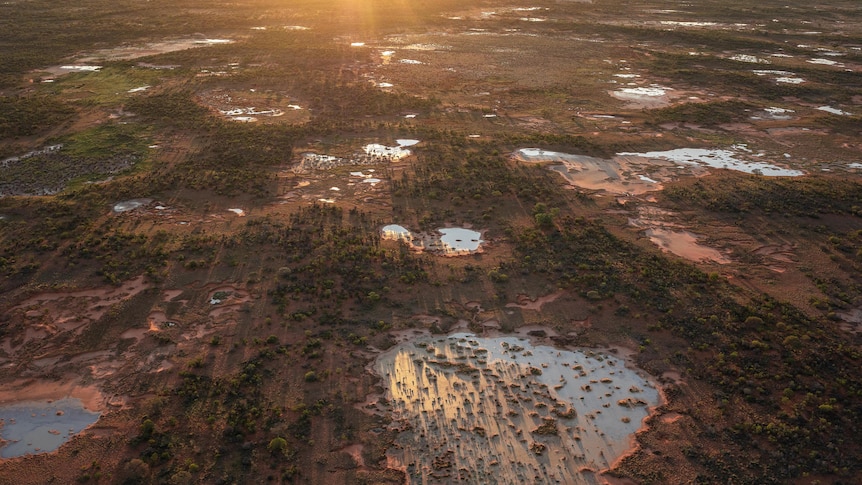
[178, 267]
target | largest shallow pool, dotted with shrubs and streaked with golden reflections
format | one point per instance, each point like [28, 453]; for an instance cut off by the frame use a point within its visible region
[502, 410]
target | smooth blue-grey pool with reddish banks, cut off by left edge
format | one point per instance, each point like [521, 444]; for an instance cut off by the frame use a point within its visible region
[41, 426]
